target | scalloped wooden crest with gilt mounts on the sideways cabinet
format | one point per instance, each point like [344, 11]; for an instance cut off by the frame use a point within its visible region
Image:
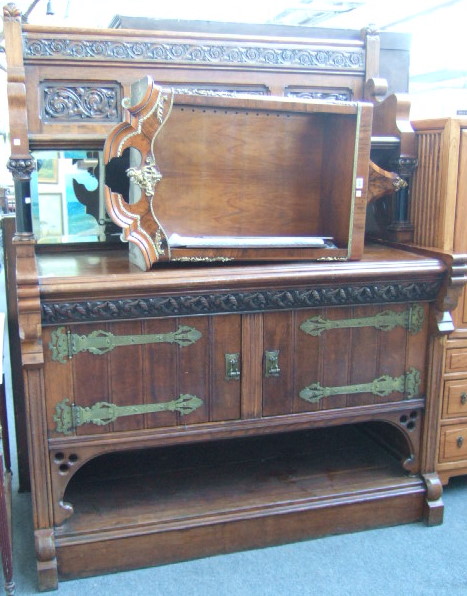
[144, 120]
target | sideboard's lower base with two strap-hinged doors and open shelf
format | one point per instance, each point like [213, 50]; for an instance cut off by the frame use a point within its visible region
[227, 407]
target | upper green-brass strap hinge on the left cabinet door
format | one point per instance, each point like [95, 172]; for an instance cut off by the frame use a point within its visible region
[64, 344]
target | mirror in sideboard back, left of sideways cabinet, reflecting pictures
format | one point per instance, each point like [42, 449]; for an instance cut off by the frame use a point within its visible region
[67, 196]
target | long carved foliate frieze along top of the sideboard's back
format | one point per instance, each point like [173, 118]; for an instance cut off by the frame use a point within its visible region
[315, 57]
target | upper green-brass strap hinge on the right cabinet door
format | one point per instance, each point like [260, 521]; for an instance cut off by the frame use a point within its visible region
[411, 319]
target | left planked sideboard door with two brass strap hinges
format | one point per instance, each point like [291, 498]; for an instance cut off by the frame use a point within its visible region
[133, 375]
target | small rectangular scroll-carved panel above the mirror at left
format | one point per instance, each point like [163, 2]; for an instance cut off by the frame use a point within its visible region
[99, 102]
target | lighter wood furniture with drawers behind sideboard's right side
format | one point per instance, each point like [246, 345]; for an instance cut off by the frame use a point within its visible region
[438, 209]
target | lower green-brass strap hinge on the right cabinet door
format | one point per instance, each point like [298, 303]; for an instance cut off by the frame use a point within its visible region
[408, 383]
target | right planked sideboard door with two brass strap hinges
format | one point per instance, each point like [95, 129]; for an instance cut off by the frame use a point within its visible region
[342, 357]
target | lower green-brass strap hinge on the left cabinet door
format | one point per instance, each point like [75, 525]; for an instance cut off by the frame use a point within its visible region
[68, 416]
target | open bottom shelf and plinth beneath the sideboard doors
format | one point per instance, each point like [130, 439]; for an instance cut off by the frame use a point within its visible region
[176, 503]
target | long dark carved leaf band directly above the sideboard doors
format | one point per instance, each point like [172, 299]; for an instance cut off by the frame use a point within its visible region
[258, 301]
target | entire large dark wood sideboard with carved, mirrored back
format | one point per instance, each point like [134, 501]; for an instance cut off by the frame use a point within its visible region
[208, 405]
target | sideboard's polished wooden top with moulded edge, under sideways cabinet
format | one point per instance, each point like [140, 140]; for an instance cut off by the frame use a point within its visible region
[110, 272]
